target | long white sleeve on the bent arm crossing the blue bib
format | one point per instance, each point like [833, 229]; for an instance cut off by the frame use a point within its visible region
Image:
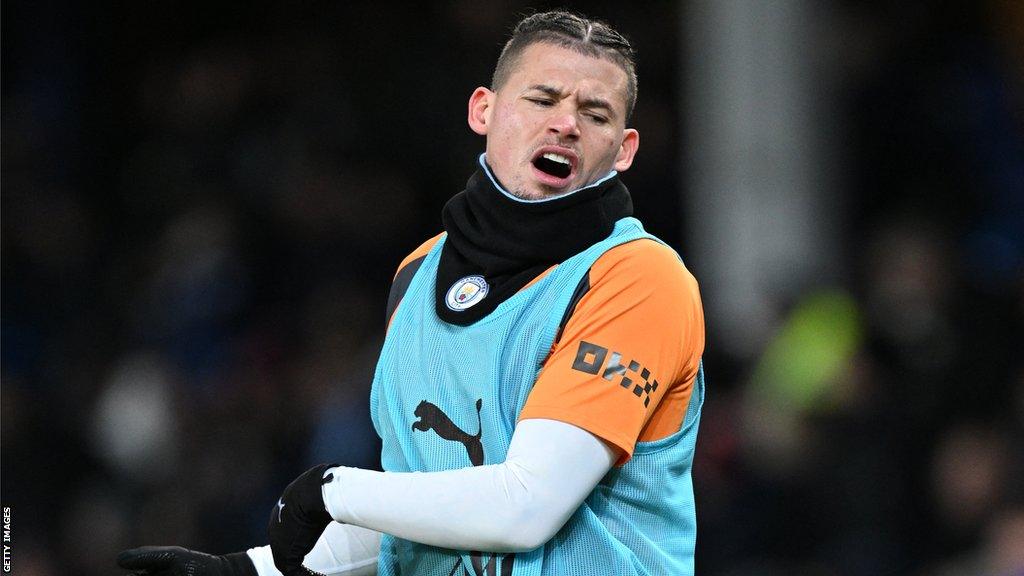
[518, 506]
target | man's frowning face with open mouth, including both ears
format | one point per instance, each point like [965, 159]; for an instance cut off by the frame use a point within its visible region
[558, 125]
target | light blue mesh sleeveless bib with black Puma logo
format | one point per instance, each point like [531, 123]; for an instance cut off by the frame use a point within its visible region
[448, 397]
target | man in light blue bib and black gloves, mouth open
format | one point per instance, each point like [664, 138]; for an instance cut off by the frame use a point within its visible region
[540, 387]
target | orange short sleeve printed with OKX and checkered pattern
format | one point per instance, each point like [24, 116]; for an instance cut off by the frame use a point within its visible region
[625, 365]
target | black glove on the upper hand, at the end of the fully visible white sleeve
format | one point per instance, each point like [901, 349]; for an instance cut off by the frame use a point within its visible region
[298, 521]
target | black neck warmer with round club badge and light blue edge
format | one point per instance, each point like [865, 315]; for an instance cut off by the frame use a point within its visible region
[510, 242]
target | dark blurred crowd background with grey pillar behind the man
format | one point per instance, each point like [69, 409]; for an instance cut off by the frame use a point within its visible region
[203, 205]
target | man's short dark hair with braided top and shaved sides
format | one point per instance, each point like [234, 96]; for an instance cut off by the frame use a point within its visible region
[589, 37]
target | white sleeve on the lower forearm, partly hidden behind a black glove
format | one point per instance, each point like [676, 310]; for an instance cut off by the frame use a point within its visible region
[342, 551]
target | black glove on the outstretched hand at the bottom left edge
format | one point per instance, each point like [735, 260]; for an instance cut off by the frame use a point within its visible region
[176, 561]
